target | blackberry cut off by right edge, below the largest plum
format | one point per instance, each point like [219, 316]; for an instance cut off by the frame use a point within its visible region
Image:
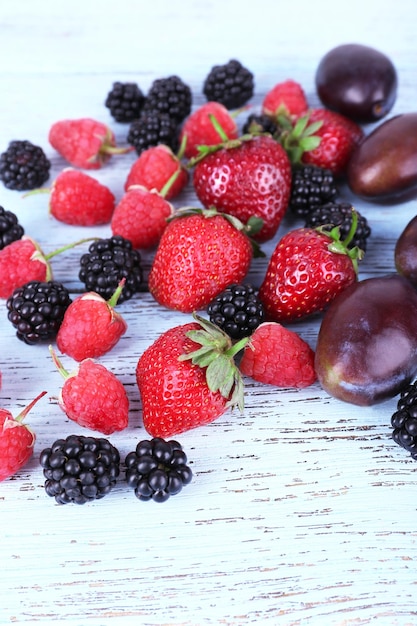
[404, 420]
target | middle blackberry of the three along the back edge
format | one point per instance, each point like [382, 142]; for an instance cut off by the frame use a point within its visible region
[170, 96]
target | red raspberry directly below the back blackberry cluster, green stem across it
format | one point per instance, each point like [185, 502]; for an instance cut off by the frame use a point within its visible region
[154, 168]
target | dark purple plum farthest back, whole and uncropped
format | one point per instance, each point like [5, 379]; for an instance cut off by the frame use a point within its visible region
[357, 81]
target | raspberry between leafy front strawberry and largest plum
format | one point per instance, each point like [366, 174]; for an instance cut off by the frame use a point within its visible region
[278, 356]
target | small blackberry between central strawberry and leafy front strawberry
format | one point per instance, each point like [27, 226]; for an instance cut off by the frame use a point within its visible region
[237, 310]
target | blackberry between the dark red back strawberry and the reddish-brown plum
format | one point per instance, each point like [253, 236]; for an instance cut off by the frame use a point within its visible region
[310, 186]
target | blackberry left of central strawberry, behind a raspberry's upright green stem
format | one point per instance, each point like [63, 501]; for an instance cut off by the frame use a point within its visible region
[106, 263]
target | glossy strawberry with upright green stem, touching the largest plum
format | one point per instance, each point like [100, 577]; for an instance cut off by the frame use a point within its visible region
[307, 269]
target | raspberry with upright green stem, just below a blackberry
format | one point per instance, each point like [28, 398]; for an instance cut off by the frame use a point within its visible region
[91, 327]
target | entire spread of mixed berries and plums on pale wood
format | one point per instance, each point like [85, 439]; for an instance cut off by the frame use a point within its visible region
[288, 160]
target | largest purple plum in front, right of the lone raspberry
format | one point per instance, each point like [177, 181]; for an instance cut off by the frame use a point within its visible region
[367, 343]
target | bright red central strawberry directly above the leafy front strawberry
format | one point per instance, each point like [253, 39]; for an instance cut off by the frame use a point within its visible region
[200, 252]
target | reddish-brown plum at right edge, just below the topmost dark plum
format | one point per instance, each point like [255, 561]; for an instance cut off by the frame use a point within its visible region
[384, 166]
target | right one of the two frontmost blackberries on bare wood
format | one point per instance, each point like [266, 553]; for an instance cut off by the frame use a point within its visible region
[157, 469]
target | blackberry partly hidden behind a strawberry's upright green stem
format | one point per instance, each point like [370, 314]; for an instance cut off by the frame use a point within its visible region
[340, 214]
